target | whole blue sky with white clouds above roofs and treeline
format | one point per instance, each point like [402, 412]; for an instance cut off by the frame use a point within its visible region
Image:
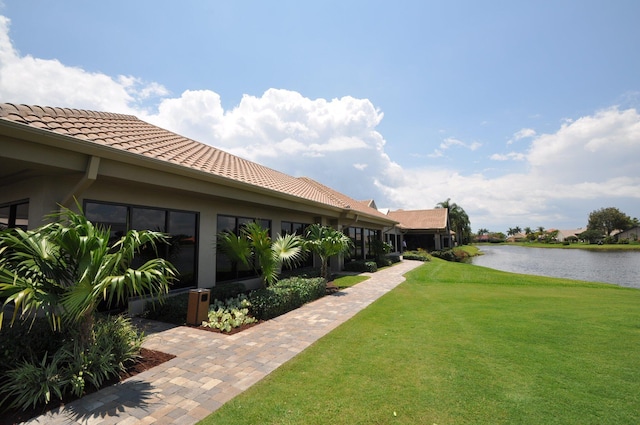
[523, 113]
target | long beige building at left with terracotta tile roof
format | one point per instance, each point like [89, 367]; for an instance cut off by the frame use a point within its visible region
[128, 174]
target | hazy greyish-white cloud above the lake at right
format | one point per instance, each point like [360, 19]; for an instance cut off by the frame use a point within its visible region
[592, 160]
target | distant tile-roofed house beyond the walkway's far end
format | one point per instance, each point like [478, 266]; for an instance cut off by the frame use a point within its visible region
[426, 229]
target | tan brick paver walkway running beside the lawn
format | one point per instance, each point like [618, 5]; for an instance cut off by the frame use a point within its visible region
[210, 368]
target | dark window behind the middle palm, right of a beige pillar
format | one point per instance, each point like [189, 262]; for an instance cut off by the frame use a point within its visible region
[226, 269]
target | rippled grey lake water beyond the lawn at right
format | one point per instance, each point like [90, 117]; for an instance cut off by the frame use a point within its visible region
[617, 267]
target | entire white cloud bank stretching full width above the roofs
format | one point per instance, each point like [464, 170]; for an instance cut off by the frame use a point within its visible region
[591, 160]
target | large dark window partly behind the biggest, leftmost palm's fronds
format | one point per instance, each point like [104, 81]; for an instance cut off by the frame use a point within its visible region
[181, 226]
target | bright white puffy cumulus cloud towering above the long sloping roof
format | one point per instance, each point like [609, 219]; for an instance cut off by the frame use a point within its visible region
[327, 140]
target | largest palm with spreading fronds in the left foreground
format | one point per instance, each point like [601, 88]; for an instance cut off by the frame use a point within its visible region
[64, 269]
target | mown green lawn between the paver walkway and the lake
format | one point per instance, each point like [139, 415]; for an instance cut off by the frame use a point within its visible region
[462, 344]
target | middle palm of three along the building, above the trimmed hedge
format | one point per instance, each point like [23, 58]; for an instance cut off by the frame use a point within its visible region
[254, 248]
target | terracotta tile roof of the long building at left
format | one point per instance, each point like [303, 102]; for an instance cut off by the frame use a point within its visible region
[129, 133]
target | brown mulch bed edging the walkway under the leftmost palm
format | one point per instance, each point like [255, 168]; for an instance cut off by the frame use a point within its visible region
[148, 359]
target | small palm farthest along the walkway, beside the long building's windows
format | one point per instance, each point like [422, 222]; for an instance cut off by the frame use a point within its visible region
[326, 242]
